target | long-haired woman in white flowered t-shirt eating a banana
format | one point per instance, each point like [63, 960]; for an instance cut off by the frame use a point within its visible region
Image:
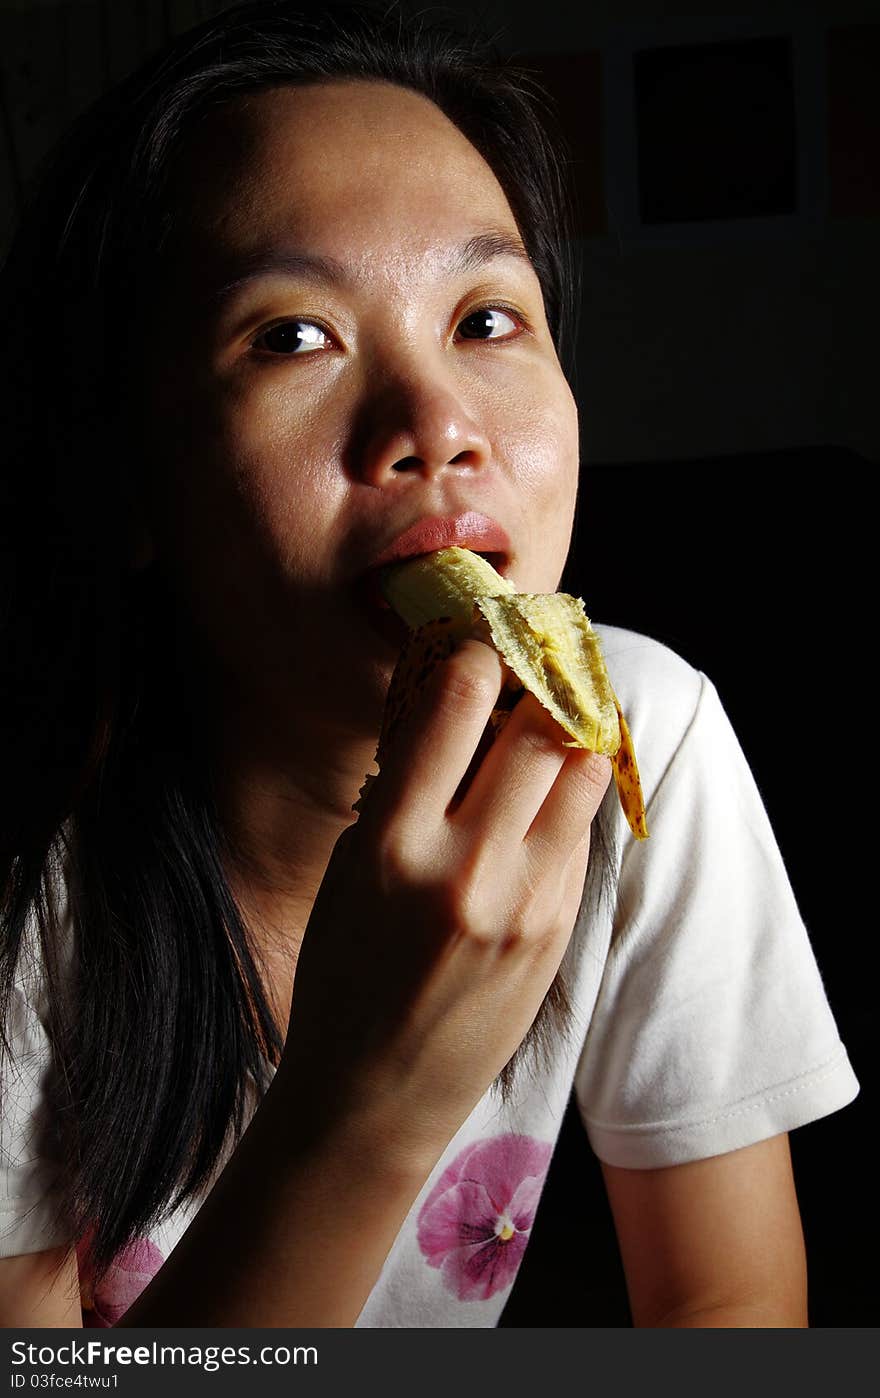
[308, 290]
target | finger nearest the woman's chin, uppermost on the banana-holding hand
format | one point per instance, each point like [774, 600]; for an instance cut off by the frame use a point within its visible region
[436, 746]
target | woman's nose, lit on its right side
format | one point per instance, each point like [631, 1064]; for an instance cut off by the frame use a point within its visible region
[418, 424]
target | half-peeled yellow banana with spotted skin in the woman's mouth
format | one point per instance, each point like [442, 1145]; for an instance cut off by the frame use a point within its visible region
[545, 641]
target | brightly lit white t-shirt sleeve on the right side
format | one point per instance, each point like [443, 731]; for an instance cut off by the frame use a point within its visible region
[711, 1028]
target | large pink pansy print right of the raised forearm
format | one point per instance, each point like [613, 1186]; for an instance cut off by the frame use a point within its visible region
[476, 1221]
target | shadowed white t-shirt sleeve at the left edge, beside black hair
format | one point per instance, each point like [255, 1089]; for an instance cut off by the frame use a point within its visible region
[29, 1153]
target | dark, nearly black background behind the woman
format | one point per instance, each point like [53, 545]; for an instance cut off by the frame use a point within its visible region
[728, 168]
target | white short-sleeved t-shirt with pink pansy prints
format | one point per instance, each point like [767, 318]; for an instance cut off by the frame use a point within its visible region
[702, 1027]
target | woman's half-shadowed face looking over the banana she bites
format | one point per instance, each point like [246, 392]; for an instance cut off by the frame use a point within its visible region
[325, 367]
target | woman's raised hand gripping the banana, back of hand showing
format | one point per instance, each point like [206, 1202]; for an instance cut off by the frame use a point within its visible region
[443, 916]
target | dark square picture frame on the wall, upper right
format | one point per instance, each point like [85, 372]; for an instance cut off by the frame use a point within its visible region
[714, 131]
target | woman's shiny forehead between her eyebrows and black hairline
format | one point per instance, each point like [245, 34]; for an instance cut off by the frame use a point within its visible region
[359, 168]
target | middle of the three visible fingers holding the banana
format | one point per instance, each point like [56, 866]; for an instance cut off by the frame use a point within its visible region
[517, 774]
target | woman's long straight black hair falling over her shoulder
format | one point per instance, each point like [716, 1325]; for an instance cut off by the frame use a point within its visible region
[159, 1021]
